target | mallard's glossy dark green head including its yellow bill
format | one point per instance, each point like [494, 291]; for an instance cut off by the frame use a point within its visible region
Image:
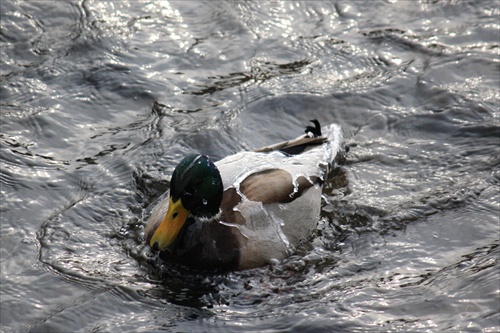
[195, 189]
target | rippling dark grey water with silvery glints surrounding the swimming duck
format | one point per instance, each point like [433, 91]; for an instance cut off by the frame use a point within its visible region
[100, 100]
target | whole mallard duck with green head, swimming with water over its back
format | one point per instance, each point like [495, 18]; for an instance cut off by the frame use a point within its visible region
[246, 209]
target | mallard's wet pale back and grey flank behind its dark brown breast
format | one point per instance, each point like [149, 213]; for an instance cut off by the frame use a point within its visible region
[278, 195]
